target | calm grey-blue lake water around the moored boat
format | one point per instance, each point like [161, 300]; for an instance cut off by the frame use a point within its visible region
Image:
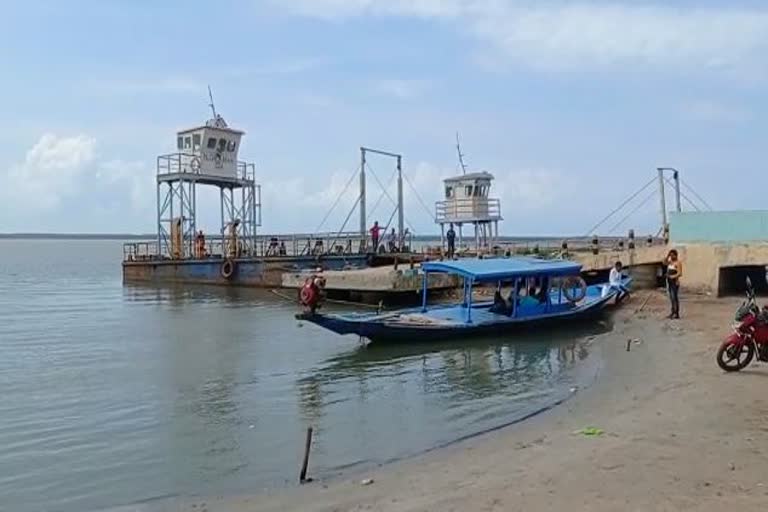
[112, 395]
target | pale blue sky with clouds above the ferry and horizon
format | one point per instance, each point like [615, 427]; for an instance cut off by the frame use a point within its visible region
[572, 105]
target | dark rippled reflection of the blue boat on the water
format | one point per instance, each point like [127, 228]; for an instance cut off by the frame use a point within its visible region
[456, 372]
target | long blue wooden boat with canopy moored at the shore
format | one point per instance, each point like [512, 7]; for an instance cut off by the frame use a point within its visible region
[558, 293]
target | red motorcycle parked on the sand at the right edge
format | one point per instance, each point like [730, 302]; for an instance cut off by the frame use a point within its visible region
[749, 337]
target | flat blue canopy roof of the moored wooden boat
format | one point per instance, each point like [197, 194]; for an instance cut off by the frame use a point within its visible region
[503, 268]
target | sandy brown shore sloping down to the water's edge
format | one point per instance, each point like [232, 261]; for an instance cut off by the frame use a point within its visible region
[679, 434]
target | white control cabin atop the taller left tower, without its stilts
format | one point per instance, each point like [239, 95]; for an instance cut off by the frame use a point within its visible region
[211, 149]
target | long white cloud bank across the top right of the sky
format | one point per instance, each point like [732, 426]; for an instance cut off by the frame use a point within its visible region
[582, 35]
